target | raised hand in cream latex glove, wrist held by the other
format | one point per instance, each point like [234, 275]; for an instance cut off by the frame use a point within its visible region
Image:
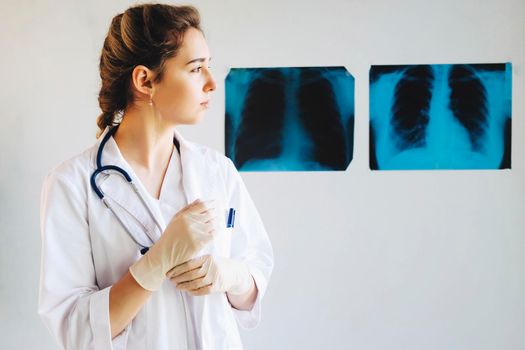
[188, 231]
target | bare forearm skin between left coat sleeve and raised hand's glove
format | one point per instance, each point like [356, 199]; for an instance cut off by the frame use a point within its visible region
[126, 298]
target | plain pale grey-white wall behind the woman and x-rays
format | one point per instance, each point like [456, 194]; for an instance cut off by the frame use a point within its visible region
[363, 260]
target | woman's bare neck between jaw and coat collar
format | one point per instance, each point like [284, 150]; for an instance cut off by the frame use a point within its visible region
[144, 140]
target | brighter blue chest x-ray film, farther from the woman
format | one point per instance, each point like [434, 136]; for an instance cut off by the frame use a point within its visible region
[444, 116]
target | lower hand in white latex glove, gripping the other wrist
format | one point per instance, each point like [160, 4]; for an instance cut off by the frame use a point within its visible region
[210, 274]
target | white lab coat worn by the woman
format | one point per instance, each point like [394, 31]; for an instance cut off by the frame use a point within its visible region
[85, 250]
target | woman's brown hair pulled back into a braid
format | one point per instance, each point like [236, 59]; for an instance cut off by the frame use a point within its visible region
[147, 34]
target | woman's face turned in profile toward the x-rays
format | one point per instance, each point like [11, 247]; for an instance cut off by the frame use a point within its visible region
[183, 94]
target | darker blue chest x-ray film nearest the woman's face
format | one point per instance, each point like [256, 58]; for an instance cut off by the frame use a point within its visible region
[290, 119]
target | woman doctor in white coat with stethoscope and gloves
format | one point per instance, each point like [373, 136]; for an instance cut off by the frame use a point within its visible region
[136, 252]
